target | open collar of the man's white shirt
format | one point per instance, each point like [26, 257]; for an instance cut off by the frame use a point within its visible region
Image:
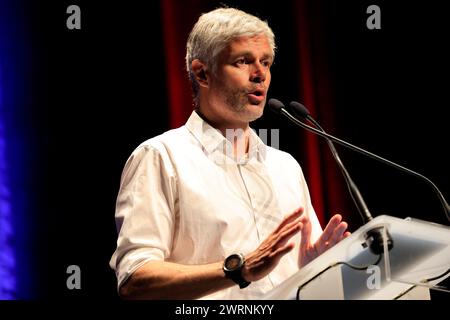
[212, 139]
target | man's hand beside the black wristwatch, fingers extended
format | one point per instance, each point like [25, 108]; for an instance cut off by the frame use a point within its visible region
[265, 258]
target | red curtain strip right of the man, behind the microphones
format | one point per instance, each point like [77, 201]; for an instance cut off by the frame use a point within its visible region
[316, 92]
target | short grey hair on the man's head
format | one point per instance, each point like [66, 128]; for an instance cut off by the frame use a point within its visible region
[213, 32]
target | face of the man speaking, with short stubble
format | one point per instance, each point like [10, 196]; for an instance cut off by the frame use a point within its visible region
[238, 89]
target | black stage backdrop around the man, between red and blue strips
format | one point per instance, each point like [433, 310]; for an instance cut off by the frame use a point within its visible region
[100, 91]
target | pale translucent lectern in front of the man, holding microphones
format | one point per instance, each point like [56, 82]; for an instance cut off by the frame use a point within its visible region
[418, 261]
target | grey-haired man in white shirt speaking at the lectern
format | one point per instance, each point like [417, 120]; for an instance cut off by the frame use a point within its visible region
[203, 213]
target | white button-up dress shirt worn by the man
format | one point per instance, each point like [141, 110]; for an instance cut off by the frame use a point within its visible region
[183, 200]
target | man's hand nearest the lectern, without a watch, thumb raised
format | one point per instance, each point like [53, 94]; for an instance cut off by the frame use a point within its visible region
[334, 232]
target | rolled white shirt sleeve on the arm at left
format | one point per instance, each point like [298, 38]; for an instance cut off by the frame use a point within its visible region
[144, 211]
